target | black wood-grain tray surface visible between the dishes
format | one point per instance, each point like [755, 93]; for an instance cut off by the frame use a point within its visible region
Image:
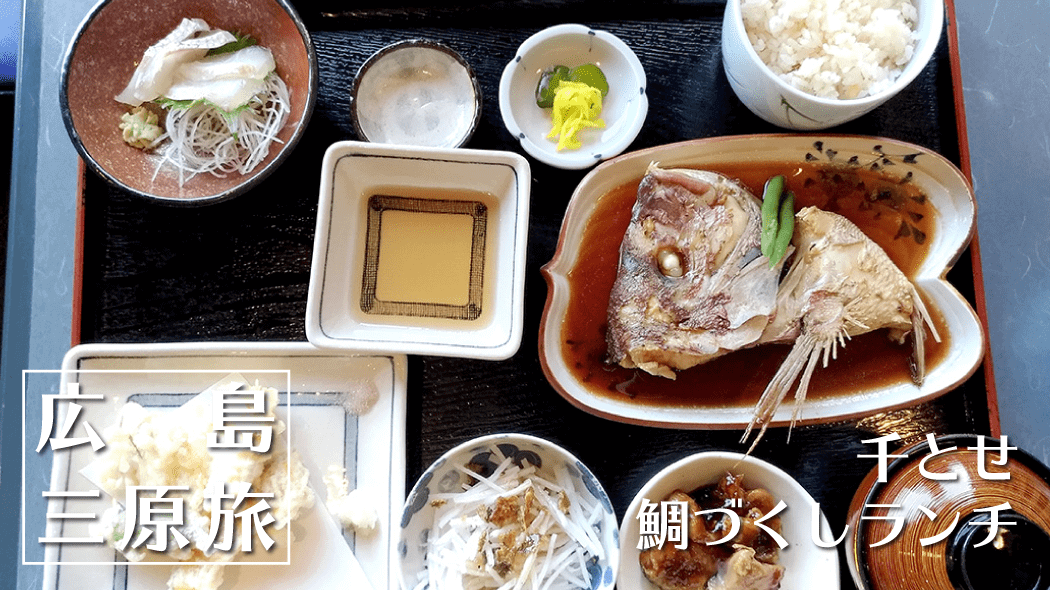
[240, 270]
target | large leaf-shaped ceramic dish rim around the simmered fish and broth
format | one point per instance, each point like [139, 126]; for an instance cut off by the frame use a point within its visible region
[949, 195]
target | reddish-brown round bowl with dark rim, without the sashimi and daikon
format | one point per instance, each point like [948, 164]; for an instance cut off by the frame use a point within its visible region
[104, 53]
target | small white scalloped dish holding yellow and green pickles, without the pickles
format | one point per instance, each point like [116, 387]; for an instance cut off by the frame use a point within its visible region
[624, 110]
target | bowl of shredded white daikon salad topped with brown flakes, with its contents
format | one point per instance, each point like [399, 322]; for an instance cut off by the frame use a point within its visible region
[513, 512]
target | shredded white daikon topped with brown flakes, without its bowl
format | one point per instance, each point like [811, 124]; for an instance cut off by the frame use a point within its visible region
[516, 530]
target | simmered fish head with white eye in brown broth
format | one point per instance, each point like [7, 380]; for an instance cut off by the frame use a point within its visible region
[692, 284]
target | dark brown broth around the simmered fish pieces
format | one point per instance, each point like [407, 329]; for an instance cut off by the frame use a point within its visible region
[893, 213]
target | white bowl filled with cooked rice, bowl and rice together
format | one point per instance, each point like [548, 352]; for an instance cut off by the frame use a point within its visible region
[813, 65]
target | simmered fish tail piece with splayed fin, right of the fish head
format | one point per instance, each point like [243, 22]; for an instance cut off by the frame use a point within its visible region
[841, 284]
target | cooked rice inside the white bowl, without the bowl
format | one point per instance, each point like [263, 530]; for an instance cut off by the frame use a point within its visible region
[834, 49]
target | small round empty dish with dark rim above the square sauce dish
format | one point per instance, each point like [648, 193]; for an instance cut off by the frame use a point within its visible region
[416, 93]
